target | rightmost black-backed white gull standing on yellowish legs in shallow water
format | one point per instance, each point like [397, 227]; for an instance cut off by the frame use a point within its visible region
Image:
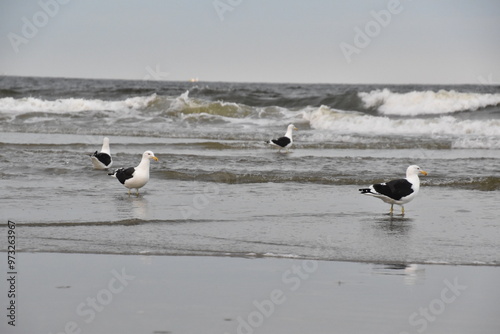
[399, 191]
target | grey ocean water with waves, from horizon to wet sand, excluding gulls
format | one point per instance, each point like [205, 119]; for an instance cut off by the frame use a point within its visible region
[219, 190]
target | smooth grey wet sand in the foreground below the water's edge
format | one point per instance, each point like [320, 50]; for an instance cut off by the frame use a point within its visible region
[83, 293]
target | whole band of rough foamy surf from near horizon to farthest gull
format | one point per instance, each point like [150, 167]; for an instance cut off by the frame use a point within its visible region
[256, 112]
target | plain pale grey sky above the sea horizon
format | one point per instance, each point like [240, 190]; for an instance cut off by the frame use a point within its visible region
[327, 41]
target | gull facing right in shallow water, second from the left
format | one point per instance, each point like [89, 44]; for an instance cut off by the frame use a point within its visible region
[135, 177]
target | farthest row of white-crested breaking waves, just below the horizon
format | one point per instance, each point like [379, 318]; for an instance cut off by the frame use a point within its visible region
[383, 101]
